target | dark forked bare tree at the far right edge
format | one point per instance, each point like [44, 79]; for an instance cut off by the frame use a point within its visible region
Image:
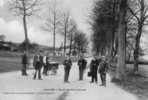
[139, 10]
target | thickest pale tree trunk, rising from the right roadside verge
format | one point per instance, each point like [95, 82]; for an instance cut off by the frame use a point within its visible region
[120, 74]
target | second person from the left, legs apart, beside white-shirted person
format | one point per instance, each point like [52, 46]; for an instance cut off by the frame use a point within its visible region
[38, 63]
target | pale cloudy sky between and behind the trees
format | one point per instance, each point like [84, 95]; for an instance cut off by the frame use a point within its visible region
[11, 26]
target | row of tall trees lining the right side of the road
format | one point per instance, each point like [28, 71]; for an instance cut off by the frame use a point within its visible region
[117, 29]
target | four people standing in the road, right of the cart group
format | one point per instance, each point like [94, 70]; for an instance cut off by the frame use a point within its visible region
[97, 65]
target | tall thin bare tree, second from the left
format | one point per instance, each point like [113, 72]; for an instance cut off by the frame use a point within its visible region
[53, 21]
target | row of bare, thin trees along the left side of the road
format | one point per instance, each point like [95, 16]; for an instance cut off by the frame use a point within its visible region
[57, 21]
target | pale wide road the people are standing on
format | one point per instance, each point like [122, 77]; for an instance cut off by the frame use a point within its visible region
[16, 87]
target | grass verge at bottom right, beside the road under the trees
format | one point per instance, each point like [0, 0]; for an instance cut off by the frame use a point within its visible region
[135, 84]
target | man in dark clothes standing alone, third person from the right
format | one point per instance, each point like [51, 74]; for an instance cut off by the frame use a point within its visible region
[82, 66]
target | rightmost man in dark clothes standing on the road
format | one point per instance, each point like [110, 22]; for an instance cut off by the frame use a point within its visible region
[103, 70]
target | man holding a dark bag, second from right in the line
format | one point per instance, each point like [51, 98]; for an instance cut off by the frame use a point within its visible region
[94, 68]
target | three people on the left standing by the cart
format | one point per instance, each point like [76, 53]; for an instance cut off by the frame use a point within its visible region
[39, 61]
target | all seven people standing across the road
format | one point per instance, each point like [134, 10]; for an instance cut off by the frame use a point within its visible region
[97, 65]
